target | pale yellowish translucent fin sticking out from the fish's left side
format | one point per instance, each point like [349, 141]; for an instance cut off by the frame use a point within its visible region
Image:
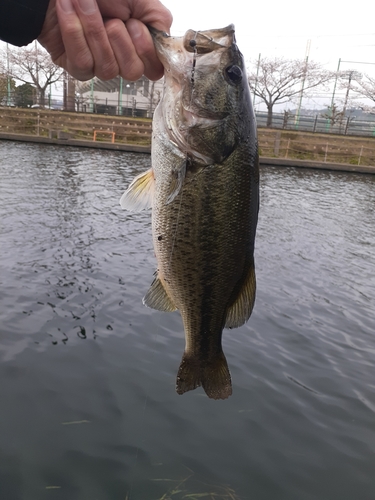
[140, 193]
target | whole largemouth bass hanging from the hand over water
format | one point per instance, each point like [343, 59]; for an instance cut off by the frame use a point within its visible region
[203, 190]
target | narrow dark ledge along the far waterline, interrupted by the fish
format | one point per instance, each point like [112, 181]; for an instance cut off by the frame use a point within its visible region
[272, 162]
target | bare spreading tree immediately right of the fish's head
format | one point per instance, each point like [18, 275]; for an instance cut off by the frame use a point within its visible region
[278, 80]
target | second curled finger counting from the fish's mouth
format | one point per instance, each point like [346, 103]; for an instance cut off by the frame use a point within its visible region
[130, 64]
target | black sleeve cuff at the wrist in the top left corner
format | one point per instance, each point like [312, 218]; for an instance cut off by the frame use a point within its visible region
[21, 21]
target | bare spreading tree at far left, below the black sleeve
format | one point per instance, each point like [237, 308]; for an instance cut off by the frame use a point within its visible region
[33, 65]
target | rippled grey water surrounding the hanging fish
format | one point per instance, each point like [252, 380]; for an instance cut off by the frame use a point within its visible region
[88, 408]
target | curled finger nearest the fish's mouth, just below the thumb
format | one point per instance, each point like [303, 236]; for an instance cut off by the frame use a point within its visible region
[142, 40]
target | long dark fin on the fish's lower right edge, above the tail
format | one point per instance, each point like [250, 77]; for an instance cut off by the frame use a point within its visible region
[240, 310]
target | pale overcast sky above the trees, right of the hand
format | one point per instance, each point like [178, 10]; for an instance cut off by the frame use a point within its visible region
[329, 29]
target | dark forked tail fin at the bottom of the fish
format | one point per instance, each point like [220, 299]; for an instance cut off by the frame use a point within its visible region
[212, 375]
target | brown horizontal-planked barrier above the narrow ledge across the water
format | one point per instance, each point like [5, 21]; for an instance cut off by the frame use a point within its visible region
[275, 143]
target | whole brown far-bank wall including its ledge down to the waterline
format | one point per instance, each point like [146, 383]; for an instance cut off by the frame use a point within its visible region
[277, 147]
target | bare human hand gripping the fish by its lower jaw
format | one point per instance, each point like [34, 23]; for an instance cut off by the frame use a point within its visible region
[105, 38]
